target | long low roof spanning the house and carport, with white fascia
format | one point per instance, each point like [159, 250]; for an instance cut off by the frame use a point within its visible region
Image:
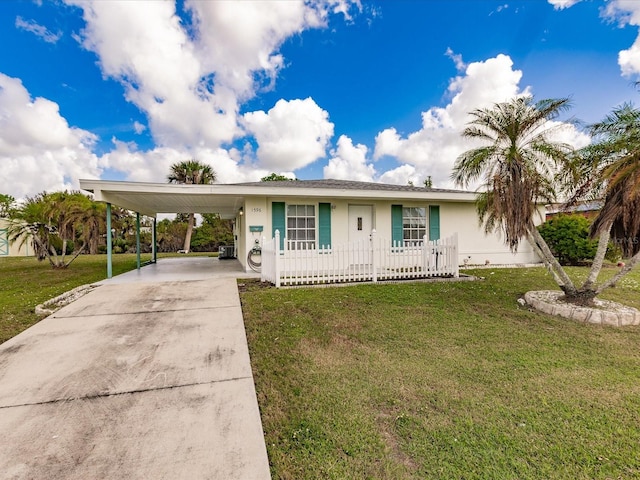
[226, 199]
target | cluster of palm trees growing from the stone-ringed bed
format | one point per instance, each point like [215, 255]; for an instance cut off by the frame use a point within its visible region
[521, 166]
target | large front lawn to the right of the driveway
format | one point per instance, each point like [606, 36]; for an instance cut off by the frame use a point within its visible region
[443, 380]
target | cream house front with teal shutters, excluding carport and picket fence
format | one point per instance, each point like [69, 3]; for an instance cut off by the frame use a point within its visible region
[397, 213]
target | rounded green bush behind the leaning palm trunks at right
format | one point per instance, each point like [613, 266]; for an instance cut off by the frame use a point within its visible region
[568, 238]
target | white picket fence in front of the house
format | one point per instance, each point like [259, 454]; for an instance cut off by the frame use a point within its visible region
[367, 260]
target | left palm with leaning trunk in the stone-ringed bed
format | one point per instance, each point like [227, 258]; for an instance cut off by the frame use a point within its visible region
[516, 166]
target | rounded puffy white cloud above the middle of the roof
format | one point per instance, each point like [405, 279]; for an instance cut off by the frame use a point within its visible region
[291, 135]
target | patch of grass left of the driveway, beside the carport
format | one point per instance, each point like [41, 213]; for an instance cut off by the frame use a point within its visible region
[25, 283]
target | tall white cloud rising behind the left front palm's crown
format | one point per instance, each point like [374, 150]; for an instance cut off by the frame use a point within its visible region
[432, 150]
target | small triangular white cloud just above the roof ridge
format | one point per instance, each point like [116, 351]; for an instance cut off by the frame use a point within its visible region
[349, 162]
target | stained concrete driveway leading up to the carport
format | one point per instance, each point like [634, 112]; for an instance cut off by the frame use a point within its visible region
[135, 380]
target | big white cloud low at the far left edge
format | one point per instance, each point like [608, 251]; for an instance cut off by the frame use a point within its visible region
[38, 149]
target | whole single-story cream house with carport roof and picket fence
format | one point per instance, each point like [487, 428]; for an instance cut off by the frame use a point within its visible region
[318, 221]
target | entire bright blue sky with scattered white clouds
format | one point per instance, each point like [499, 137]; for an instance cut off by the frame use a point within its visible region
[372, 91]
